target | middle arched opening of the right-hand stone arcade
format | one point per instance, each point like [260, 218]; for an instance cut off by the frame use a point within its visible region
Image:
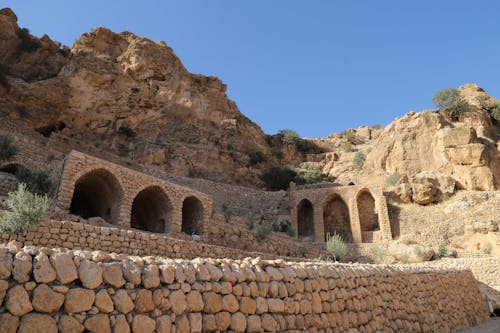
[336, 218]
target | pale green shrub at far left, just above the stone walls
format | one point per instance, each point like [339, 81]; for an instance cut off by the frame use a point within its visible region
[25, 210]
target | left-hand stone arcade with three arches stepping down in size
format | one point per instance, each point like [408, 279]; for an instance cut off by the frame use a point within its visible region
[101, 188]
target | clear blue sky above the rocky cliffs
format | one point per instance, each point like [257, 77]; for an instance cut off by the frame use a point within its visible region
[318, 67]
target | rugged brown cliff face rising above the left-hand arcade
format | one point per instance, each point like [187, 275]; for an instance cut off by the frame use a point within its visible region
[108, 80]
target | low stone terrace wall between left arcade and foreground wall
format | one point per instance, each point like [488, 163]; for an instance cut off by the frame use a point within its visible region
[74, 235]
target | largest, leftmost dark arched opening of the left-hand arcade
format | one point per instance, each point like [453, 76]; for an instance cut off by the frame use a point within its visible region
[97, 193]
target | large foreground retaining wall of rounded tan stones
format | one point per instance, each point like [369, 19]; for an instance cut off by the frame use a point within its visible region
[47, 290]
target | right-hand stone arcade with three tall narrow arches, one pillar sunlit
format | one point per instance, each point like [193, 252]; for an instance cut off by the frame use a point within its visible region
[377, 228]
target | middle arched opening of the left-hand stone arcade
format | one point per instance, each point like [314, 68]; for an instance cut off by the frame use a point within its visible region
[151, 210]
